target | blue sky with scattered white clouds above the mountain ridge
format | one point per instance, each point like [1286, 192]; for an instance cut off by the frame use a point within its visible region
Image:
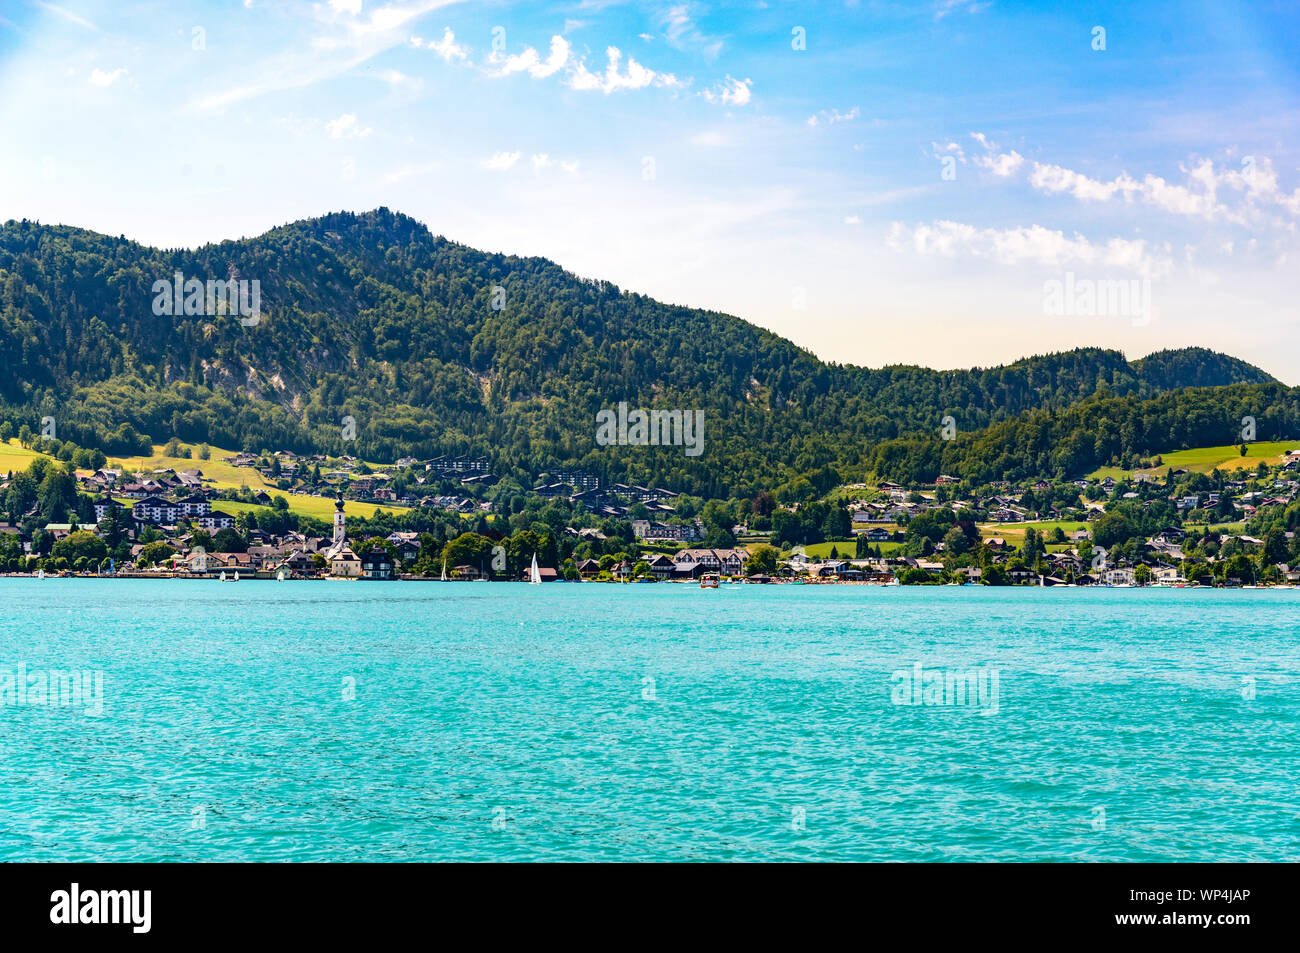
[903, 189]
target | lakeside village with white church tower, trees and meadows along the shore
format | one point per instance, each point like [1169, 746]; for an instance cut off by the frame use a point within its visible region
[452, 518]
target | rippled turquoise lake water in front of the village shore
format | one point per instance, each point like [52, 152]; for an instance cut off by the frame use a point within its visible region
[424, 722]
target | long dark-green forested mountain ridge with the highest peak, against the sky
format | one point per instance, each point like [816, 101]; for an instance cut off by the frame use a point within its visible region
[436, 348]
